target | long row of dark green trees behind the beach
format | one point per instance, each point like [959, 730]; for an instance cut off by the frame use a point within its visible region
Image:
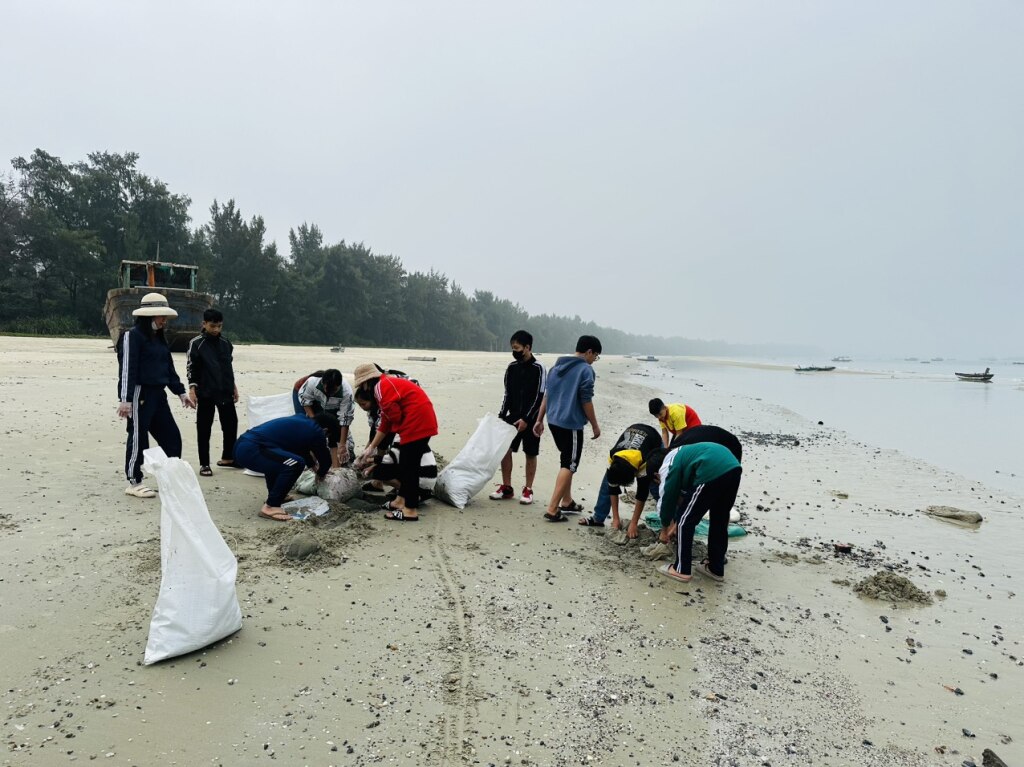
[65, 229]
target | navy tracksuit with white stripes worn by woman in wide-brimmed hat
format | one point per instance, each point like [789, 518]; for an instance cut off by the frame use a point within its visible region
[146, 370]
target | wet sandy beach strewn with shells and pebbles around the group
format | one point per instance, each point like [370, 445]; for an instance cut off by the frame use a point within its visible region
[488, 636]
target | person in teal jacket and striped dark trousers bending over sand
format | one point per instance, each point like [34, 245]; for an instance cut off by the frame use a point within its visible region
[706, 478]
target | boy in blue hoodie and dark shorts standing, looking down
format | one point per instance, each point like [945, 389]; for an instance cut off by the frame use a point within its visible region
[569, 407]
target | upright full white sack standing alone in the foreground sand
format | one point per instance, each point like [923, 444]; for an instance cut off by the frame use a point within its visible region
[197, 605]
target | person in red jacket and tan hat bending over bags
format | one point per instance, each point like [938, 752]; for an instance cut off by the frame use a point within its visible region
[407, 411]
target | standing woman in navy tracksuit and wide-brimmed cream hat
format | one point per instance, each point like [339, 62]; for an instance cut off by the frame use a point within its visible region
[146, 370]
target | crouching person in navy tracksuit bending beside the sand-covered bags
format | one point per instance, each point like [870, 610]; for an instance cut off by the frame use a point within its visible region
[281, 450]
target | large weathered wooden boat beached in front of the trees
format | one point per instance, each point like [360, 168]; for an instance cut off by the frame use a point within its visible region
[177, 281]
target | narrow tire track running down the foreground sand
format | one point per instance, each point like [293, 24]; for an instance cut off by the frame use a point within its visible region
[456, 693]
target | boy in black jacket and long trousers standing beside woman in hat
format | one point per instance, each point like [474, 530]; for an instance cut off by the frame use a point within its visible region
[211, 388]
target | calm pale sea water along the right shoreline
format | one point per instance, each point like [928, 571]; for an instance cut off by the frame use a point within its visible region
[921, 410]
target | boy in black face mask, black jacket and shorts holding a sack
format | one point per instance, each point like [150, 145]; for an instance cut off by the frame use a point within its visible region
[525, 385]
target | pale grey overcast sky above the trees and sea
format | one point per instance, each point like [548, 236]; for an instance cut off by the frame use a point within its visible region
[843, 175]
